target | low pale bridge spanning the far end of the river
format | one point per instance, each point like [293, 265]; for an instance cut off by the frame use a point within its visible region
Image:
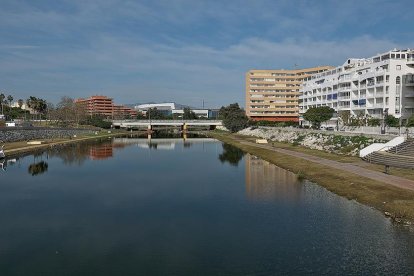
[150, 124]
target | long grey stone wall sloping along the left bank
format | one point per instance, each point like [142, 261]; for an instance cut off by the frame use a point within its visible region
[15, 134]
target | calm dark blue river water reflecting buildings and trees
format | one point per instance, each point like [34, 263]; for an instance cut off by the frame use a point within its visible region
[168, 207]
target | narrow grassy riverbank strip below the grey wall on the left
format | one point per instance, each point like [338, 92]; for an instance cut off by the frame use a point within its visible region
[21, 147]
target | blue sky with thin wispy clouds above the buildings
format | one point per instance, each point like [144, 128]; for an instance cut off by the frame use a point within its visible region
[185, 51]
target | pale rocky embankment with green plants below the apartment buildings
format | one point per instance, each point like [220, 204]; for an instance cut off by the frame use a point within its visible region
[330, 141]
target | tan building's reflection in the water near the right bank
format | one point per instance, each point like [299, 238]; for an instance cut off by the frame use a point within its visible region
[265, 181]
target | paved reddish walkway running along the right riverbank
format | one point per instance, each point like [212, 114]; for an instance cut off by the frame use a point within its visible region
[374, 175]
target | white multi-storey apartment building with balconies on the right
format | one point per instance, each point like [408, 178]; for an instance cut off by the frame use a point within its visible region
[371, 87]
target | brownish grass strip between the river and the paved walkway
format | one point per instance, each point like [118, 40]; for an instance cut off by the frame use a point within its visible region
[398, 203]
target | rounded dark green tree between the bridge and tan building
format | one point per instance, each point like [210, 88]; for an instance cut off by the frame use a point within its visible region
[234, 118]
